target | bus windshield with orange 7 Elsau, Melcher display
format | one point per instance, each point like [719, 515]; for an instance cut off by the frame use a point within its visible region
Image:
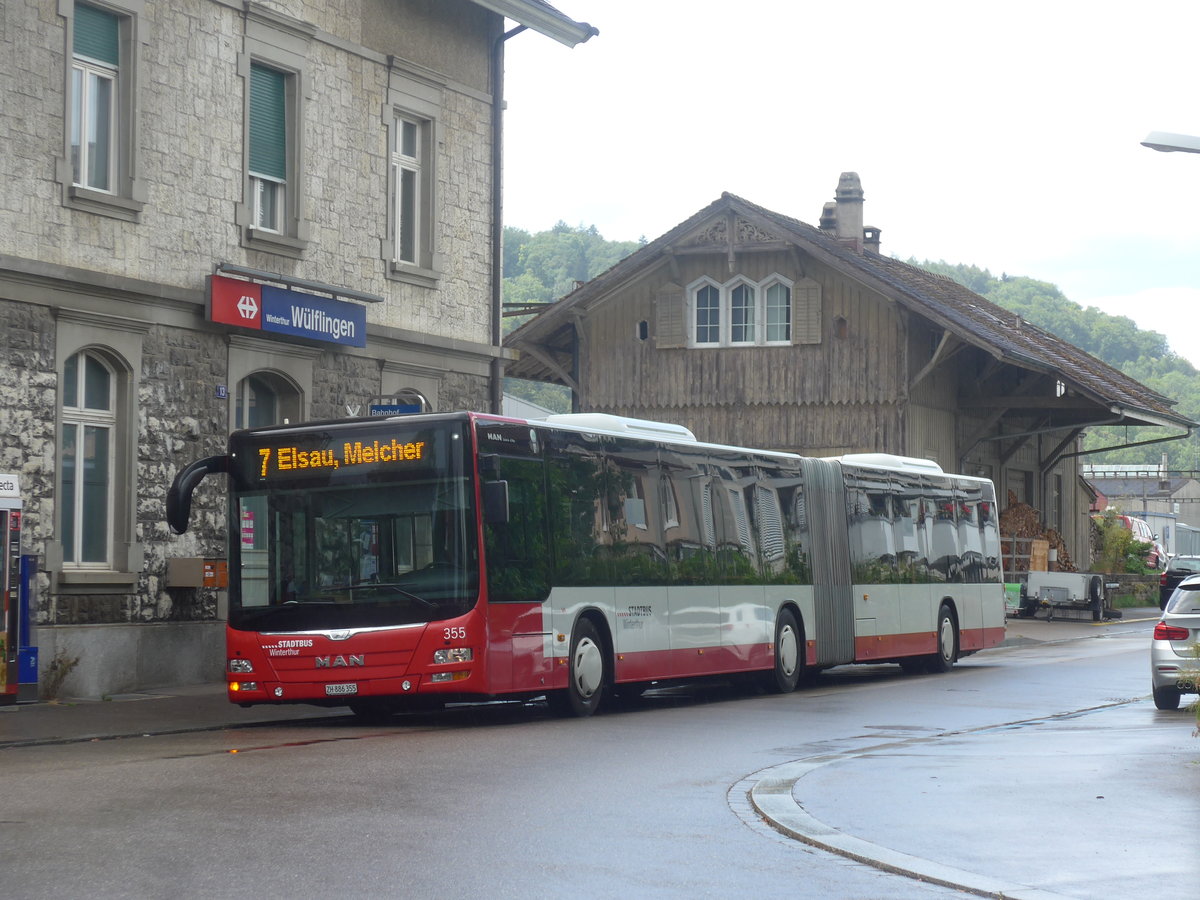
[357, 538]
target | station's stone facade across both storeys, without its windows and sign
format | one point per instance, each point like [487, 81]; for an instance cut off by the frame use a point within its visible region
[146, 279]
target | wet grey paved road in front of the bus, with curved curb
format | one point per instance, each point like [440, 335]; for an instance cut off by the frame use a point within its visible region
[1034, 771]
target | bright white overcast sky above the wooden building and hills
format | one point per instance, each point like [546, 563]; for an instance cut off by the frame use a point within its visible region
[1005, 136]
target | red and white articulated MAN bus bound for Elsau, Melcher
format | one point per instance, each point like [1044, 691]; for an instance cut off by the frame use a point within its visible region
[413, 561]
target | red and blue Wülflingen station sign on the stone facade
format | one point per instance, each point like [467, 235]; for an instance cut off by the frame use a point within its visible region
[266, 308]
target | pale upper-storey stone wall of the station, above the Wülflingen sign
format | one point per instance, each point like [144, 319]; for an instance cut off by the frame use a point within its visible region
[191, 143]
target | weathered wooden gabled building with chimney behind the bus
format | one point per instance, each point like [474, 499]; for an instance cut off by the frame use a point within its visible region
[755, 329]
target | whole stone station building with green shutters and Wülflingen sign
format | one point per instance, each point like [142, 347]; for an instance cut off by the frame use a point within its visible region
[219, 214]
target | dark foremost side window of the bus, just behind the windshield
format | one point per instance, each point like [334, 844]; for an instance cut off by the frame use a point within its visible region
[519, 550]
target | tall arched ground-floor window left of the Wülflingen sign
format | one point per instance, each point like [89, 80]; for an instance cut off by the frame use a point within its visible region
[89, 442]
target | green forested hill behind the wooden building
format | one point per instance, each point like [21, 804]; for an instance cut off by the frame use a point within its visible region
[539, 268]
